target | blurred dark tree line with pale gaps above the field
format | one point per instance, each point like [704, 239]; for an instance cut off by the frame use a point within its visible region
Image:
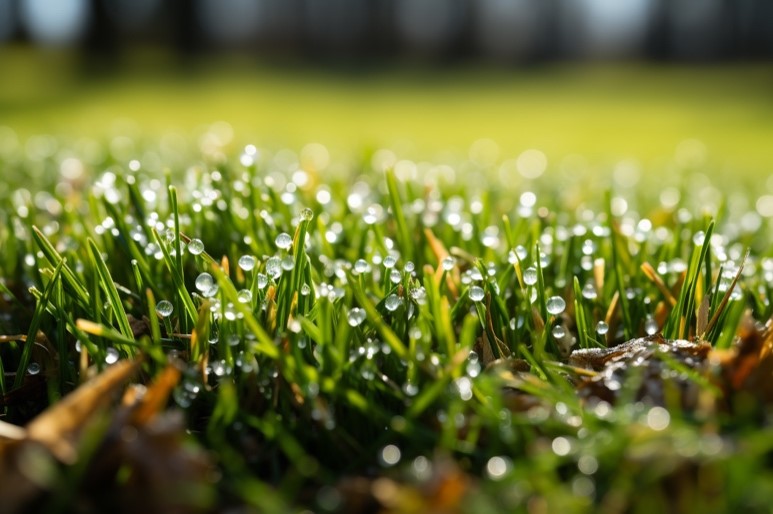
[508, 31]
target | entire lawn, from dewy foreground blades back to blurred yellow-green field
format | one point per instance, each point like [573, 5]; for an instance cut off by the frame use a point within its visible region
[194, 322]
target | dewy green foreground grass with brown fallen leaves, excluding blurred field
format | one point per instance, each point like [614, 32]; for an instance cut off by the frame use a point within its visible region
[386, 342]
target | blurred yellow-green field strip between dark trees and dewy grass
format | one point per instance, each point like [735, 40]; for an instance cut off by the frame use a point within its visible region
[604, 112]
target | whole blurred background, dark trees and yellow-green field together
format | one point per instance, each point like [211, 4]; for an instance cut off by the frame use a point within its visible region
[660, 82]
